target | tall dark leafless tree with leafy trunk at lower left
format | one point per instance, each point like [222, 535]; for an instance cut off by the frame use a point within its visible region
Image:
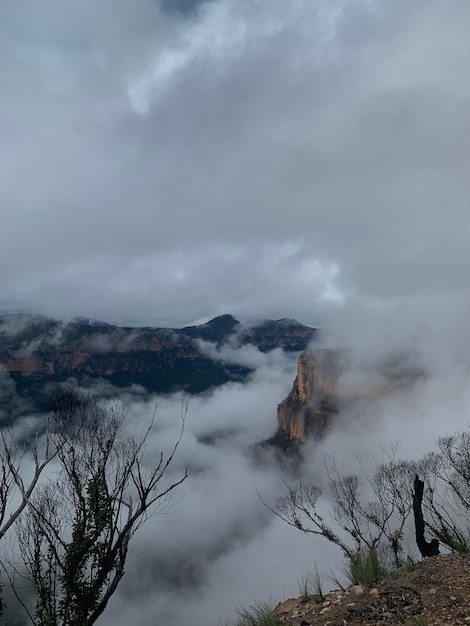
[75, 534]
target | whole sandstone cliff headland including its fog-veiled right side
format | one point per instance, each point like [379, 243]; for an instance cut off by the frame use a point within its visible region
[334, 381]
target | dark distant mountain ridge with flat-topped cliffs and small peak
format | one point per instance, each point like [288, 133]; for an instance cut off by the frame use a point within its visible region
[36, 351]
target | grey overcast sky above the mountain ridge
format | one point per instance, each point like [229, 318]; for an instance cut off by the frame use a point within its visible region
[162, 163]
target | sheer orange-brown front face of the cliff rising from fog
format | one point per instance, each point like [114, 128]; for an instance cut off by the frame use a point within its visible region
[308, 409]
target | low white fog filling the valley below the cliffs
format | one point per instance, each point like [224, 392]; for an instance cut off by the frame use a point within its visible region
[219, 548]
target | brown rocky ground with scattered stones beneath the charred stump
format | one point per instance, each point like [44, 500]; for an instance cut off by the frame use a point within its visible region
[435, 593]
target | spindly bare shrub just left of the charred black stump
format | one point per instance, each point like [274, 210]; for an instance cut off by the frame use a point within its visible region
[364, 512]
